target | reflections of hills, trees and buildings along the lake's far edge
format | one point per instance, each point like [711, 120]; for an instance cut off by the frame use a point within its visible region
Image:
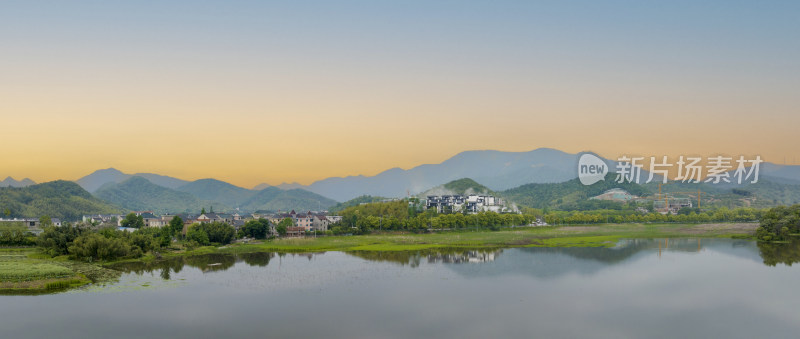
[536, 261]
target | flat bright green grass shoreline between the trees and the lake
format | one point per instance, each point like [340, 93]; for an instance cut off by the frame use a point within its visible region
[589, 235]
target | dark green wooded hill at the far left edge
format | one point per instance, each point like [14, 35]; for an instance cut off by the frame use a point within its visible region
[61, 199]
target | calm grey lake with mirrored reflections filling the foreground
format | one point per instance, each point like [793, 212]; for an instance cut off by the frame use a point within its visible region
[639, 288]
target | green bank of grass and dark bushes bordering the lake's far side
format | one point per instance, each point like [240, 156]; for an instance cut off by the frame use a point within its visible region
[80, 249]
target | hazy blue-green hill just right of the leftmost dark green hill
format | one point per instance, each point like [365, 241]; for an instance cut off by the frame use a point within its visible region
[140, 194]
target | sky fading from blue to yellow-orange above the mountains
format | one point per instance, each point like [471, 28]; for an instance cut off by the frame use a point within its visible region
[297, 91]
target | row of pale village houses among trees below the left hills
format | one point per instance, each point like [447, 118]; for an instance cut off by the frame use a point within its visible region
[303, 222]
